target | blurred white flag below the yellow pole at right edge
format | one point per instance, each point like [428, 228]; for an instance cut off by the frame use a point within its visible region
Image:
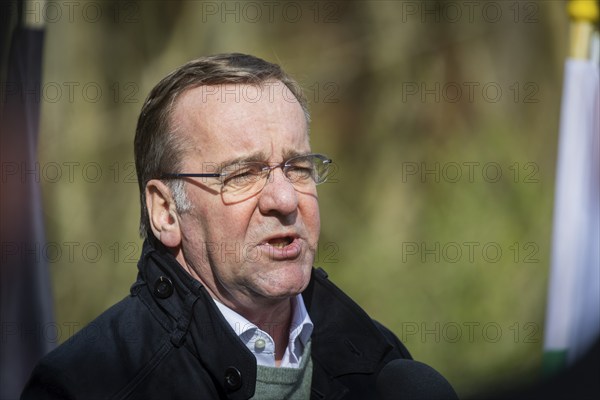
[573, 313]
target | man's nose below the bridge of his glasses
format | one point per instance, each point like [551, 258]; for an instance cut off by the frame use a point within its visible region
[278, 196]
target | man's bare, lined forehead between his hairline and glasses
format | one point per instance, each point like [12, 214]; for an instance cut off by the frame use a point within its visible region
[236, 120]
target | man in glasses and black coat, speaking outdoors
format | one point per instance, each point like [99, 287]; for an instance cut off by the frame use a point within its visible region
[227, 304]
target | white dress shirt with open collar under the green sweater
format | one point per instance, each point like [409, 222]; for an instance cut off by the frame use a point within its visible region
[262, 345]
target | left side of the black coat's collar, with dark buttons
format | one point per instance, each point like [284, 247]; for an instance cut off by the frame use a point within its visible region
[194, 321]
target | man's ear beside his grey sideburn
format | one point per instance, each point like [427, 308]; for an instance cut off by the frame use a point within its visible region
[162, 212]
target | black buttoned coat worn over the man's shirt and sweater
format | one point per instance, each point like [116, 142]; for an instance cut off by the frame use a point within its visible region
[167, 340]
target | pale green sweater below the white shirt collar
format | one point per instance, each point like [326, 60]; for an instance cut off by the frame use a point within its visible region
[285, 383]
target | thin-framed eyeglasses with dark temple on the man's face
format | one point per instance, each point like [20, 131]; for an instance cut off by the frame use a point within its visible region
[243, 180]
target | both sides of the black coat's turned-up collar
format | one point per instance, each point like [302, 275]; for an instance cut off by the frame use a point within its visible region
[344, 338]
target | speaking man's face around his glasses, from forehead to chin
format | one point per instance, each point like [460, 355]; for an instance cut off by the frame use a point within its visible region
[261, 248]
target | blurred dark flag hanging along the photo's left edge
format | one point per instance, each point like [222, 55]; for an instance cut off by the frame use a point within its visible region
[26, 305]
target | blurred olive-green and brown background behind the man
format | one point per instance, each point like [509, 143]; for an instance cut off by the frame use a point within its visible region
[442, 120]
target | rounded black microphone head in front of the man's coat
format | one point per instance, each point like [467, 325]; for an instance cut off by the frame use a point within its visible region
[412, 380]
